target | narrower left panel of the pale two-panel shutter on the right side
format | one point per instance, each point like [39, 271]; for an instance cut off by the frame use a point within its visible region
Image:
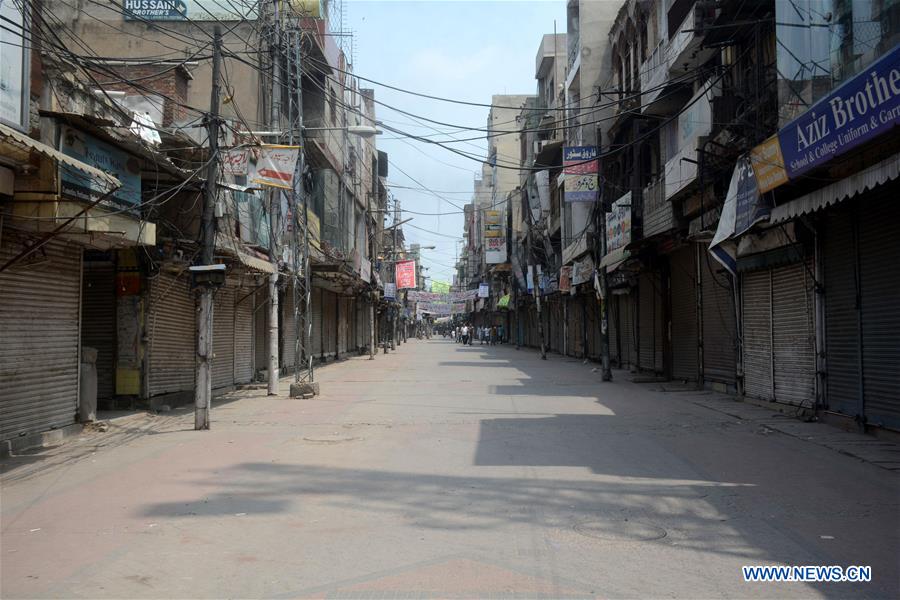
[756, 294]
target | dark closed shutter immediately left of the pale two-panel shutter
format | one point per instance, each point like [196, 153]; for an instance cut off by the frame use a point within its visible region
[719, 331]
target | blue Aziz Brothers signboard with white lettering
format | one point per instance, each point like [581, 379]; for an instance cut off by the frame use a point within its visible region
[859, 110]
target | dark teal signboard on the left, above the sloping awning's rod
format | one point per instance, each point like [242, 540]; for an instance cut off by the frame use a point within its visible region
[88, 149]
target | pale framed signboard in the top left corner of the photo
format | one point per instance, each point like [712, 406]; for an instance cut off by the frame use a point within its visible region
[14, 79]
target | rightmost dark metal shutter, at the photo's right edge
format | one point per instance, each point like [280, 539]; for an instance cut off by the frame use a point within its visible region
[879, 260]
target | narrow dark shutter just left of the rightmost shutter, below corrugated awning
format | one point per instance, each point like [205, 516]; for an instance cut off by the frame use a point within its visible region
[841, 318]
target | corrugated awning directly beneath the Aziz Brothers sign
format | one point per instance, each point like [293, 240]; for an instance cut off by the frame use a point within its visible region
[838, 191]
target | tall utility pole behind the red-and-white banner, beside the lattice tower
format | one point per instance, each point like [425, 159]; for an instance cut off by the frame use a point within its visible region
[274, 206]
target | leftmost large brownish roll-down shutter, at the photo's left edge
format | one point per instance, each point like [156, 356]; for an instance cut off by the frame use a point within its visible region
[39, 337]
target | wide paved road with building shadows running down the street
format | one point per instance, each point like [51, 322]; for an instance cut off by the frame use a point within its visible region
[441, 471]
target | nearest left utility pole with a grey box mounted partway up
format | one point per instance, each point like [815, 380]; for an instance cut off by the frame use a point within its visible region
[203, 390]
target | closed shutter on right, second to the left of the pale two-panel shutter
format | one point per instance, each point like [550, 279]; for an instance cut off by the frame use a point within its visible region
[684, 314]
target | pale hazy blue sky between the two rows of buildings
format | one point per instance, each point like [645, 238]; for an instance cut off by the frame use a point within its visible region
[465, 50]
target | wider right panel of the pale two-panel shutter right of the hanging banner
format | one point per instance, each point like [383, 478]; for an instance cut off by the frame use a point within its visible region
[793, 337]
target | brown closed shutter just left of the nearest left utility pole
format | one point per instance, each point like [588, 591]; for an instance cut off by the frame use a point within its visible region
[172, 331]
